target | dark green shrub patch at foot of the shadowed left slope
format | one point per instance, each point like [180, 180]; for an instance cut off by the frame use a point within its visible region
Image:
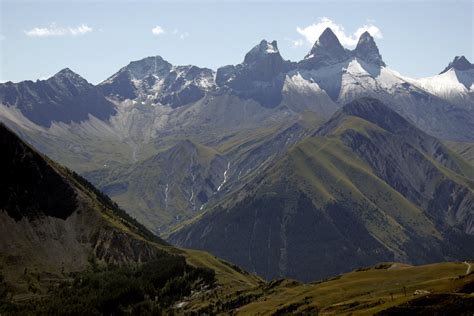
[146, 289]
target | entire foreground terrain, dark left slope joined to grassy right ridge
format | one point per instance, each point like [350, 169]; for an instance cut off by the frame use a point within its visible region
[69, 250]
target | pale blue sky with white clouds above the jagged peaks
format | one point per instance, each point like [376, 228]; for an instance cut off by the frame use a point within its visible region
[95, 39]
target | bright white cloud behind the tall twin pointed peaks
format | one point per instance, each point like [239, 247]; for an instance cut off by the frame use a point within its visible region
[312, 32]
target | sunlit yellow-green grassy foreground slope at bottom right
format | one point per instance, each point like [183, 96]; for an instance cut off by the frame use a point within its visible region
[443, 287]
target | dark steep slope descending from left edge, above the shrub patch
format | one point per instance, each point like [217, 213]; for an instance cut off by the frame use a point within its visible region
[54, 223]
